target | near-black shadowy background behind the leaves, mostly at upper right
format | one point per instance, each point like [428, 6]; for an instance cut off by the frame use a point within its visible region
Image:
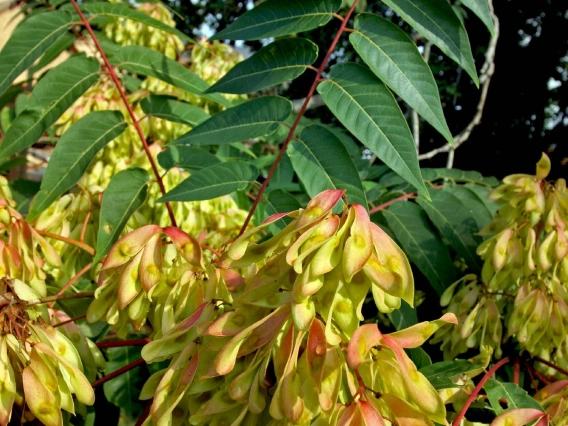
[517, 124]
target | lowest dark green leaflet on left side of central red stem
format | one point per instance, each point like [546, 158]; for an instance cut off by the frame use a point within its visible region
[212, 182]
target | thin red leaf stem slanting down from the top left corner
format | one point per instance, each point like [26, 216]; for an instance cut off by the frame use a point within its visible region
[135, 121]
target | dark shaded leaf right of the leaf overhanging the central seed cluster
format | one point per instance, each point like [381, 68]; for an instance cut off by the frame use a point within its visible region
[451, 218]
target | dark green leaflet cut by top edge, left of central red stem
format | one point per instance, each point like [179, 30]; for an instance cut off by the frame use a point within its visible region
[275, 18]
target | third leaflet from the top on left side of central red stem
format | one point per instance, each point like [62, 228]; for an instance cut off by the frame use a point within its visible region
[257, 117]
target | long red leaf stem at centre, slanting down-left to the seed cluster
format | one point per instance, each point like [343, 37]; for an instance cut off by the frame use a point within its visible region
[298, 117]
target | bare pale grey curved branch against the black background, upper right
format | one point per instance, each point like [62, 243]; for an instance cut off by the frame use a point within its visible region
[487, 71]
